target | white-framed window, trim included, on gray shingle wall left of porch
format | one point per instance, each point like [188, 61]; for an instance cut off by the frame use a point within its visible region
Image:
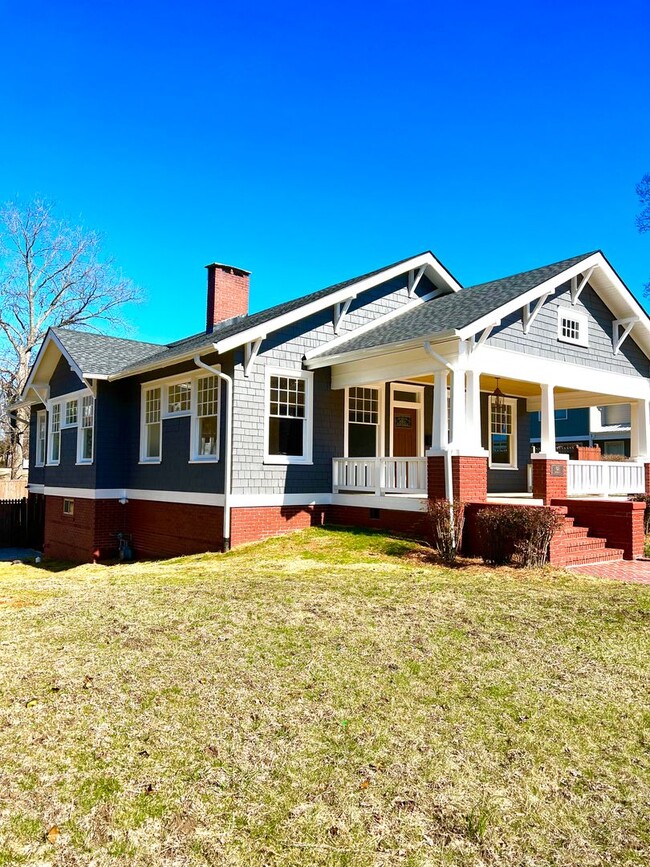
[288, 417]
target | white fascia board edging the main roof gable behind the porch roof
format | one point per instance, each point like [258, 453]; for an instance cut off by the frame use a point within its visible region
[433, 267]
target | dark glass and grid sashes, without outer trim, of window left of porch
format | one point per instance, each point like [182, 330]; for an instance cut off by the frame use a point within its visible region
[287, 414]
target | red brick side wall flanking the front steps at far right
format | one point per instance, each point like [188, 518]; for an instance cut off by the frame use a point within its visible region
[619, 522]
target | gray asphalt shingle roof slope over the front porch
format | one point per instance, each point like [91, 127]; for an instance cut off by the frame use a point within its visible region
[452, 312]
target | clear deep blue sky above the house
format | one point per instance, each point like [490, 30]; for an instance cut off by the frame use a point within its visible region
[312, 143]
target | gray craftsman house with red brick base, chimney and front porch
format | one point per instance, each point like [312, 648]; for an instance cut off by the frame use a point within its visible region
[351, 405]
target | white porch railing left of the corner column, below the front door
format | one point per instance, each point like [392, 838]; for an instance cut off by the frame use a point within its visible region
[380, 476]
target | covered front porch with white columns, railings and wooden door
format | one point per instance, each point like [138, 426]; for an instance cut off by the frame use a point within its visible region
[394, 428]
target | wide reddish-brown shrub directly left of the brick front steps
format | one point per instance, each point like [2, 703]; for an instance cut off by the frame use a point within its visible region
[521, 532]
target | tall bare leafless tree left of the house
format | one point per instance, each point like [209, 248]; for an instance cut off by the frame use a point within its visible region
[51, 274]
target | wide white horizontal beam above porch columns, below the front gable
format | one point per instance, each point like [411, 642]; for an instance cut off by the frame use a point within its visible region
[533, 368]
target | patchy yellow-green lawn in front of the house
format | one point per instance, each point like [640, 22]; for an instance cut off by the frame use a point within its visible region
[326, 698]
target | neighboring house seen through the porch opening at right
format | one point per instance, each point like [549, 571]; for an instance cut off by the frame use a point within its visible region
[607, 427]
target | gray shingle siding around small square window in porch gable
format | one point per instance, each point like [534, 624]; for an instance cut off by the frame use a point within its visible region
[542, 338]
